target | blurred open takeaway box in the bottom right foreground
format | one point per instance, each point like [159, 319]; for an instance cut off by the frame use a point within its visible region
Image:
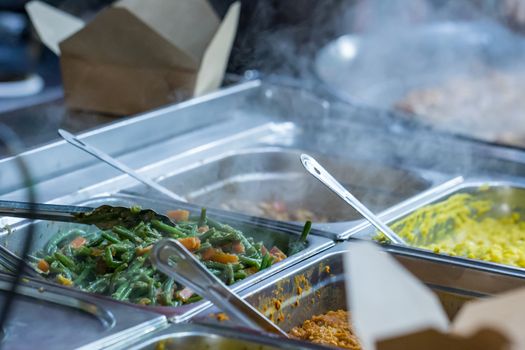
[392, 310]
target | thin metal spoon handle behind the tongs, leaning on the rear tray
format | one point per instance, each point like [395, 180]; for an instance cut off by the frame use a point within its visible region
[72, 139]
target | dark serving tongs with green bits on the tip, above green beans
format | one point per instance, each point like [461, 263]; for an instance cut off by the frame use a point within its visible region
[104, 217]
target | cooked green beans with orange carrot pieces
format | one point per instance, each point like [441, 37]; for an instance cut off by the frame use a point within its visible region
[115, 262]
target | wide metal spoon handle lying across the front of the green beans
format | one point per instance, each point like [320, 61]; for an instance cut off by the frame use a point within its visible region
[170, 257]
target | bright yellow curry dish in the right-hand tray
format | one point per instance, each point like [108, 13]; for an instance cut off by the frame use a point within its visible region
[463, 226]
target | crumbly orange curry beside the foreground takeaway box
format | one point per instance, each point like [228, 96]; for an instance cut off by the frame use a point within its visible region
[331, 329]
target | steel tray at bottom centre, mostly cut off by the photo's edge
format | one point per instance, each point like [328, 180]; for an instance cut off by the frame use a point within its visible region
[205, 337]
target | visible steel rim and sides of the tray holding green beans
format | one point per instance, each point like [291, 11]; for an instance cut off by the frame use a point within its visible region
[260, 229]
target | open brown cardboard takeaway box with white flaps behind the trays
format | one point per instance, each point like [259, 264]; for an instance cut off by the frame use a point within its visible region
[136, 55]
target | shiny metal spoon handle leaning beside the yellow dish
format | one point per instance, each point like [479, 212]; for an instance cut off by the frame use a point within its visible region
[321, 174]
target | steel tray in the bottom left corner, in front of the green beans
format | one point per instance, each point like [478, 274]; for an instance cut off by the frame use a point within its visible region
[45, 316]
